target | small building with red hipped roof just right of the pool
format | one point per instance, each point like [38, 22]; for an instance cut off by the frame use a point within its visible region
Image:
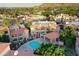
[53, 37]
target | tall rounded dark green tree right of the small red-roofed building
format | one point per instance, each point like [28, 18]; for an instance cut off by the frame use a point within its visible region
[68, 35]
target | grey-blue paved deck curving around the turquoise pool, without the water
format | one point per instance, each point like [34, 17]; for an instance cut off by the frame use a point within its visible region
[27, 47]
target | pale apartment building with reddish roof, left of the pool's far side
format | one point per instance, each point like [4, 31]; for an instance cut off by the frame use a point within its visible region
[18, 32]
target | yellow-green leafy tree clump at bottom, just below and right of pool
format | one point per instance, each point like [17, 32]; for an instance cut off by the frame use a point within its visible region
[49, 50]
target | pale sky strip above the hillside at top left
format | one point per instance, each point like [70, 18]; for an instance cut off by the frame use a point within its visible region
[19, 4]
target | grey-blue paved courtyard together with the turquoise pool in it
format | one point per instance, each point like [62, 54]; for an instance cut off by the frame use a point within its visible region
[31, 45]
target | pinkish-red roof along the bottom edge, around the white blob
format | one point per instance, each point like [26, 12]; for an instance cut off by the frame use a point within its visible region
[20, 53]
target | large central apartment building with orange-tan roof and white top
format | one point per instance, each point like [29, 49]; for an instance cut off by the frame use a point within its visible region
[40, 28]
